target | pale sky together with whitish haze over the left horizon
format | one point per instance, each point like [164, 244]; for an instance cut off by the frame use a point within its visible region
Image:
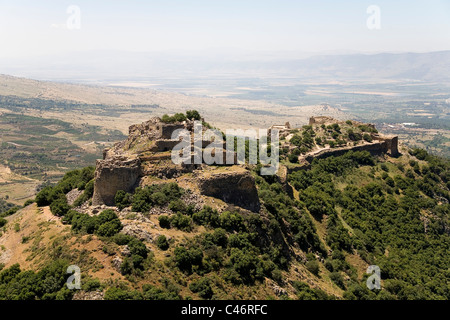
[50, 40]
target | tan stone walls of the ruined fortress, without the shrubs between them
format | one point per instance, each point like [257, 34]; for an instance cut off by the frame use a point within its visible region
[147, 153]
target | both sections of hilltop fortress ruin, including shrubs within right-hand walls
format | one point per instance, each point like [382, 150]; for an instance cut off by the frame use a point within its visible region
[145, 158]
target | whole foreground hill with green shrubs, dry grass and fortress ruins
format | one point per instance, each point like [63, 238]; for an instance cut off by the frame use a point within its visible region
[140, 227]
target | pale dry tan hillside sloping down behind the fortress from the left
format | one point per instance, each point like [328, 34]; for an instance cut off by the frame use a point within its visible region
[115, 107]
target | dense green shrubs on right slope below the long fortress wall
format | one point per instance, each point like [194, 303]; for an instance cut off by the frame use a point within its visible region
[400, 224]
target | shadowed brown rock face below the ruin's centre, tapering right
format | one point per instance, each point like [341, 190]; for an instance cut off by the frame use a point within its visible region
[235, 187]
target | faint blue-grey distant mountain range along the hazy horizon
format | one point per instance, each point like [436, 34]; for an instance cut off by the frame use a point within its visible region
[118, 66]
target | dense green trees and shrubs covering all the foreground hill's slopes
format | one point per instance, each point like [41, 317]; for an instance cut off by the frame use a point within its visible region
[393, 214]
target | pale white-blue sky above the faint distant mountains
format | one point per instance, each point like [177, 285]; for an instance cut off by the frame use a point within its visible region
[29, 28]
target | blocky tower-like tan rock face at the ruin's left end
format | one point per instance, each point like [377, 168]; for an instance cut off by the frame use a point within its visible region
[114, 174]
